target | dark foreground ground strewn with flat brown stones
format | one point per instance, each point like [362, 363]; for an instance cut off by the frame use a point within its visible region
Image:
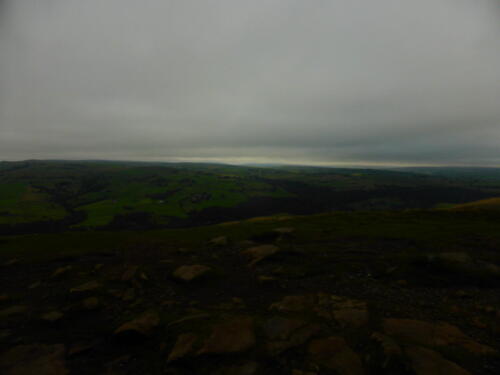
[269, 304]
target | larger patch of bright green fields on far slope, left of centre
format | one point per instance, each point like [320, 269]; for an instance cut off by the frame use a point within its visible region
[175, 196]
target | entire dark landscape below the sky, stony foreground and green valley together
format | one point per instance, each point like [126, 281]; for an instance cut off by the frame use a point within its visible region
[181, 268]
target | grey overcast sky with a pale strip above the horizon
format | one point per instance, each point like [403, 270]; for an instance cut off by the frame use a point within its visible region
[297, 81]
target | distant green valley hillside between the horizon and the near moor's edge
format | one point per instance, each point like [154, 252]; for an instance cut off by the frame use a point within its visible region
[57, 195]
